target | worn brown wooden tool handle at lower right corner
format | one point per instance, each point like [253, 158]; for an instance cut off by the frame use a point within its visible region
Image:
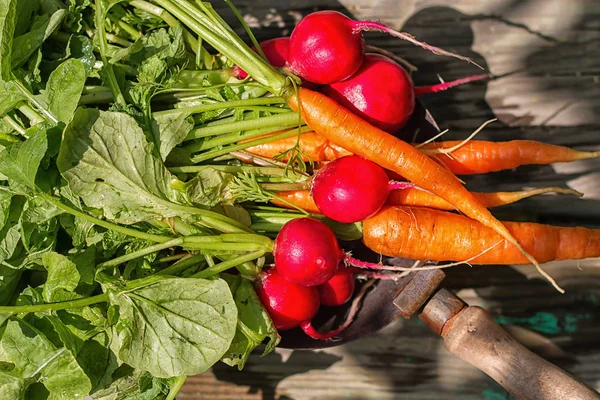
[474, 336]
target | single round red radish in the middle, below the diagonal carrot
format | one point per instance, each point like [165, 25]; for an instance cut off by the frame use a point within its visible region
[351, 189]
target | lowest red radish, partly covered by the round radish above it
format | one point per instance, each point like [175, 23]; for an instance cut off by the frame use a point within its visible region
[288, 304]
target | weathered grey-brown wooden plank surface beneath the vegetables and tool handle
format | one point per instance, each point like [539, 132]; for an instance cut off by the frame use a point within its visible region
[546, 55]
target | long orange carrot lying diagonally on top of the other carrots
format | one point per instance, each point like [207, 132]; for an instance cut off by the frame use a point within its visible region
[354, 134]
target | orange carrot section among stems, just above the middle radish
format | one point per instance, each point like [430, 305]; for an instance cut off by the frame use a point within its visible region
[312, 144]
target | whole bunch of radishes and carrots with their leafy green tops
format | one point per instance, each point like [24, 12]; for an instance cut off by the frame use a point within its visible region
[134, 248]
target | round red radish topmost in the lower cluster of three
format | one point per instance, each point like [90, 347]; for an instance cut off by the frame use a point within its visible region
[306, 252]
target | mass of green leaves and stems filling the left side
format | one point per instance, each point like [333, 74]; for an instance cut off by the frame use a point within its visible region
[120, 192]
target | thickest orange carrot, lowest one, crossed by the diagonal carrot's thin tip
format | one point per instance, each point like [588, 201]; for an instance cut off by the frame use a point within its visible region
[426, 234]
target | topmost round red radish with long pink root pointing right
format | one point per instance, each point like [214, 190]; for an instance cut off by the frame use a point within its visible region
[327, 47]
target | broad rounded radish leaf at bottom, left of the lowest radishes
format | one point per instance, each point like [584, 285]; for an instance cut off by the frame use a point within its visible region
[174, 326]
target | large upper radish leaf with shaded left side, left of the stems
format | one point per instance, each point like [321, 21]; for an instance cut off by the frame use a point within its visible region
[107, 161]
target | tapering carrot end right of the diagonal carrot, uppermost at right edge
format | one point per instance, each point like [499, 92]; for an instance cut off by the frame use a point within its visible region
[480, 157]
